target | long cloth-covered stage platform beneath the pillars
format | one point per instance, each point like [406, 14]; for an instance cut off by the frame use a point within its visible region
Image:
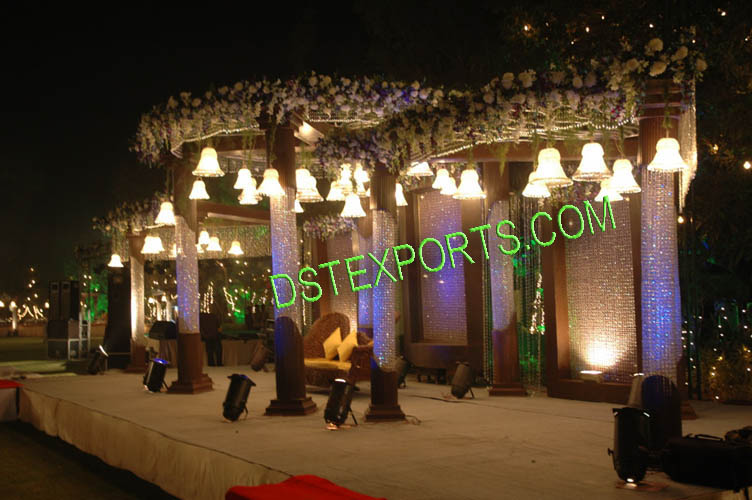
[486, 448]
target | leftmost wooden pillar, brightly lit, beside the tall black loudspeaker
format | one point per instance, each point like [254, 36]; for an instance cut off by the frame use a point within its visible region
[136, 267]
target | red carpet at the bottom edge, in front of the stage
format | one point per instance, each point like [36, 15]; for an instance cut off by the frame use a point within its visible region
[306, 487]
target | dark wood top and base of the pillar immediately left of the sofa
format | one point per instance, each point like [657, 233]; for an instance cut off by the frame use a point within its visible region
[288, 342]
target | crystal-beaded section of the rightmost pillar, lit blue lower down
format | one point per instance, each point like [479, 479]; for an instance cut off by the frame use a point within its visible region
[661, 301]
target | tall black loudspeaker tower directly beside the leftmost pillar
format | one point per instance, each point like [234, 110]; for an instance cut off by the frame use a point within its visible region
[117, 333]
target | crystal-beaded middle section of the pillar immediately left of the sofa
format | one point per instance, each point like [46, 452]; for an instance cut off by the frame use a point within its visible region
[285, 251]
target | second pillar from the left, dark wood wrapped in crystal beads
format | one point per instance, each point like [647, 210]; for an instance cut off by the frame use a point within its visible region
[191, 379]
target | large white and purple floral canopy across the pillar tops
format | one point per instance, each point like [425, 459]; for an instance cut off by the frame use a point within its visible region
[375, 120]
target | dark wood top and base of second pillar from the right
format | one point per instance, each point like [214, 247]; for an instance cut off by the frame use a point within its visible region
[506, 371]
